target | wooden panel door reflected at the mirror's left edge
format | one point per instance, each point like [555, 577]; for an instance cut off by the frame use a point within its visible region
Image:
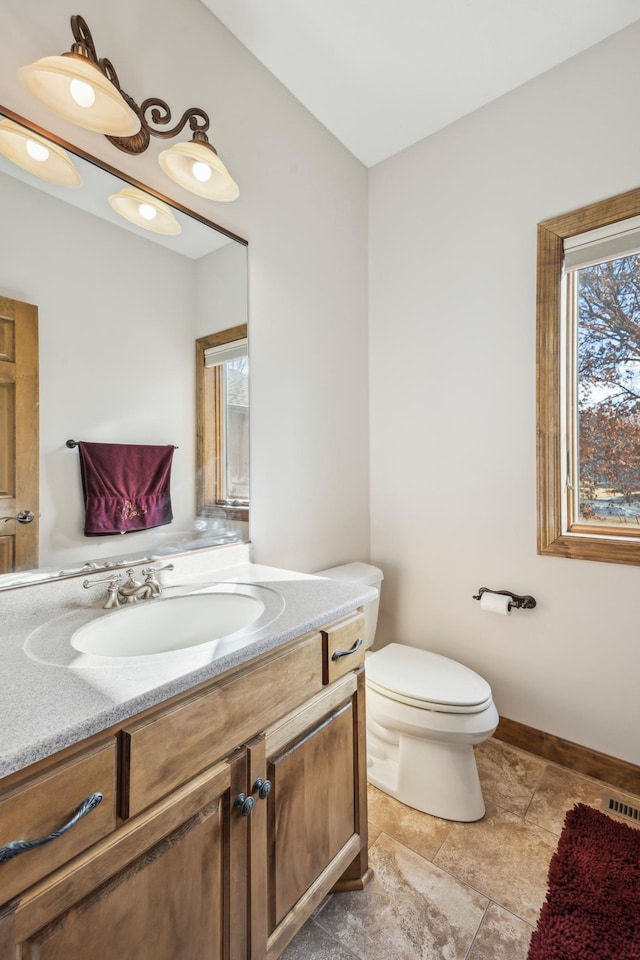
[19, 435]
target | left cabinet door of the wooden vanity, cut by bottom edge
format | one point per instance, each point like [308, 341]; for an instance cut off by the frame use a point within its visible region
[166, 887]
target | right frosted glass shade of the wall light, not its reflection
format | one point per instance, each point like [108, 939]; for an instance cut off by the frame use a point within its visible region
[209, 179]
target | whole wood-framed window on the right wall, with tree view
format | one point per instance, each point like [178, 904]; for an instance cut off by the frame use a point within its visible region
[588, 388]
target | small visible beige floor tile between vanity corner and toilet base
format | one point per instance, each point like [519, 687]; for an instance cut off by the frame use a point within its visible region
[419, 831]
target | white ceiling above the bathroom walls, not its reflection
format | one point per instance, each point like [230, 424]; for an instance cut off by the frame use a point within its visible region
[383, 74]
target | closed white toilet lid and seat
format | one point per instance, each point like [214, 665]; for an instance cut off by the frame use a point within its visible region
[426, 680]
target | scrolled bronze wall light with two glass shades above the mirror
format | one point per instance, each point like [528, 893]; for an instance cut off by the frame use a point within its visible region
[85, 90]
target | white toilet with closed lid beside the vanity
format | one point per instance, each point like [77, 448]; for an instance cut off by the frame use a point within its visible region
[425, 713]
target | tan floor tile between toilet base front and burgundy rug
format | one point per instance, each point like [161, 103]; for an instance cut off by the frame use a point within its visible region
[504, 857]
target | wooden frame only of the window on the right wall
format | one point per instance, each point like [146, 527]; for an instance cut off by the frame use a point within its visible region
[582, 542]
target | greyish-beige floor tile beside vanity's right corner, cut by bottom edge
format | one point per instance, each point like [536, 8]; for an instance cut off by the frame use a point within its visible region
[410, 911]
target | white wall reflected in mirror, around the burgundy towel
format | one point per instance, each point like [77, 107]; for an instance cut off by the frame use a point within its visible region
[108, 301]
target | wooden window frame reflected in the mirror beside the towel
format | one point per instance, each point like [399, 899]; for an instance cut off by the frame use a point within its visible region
[209, 415]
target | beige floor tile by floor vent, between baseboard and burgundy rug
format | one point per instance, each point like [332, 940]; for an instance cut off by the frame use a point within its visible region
[559, 790]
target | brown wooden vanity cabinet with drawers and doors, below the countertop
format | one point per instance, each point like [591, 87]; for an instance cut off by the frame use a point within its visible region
[227, 814]
